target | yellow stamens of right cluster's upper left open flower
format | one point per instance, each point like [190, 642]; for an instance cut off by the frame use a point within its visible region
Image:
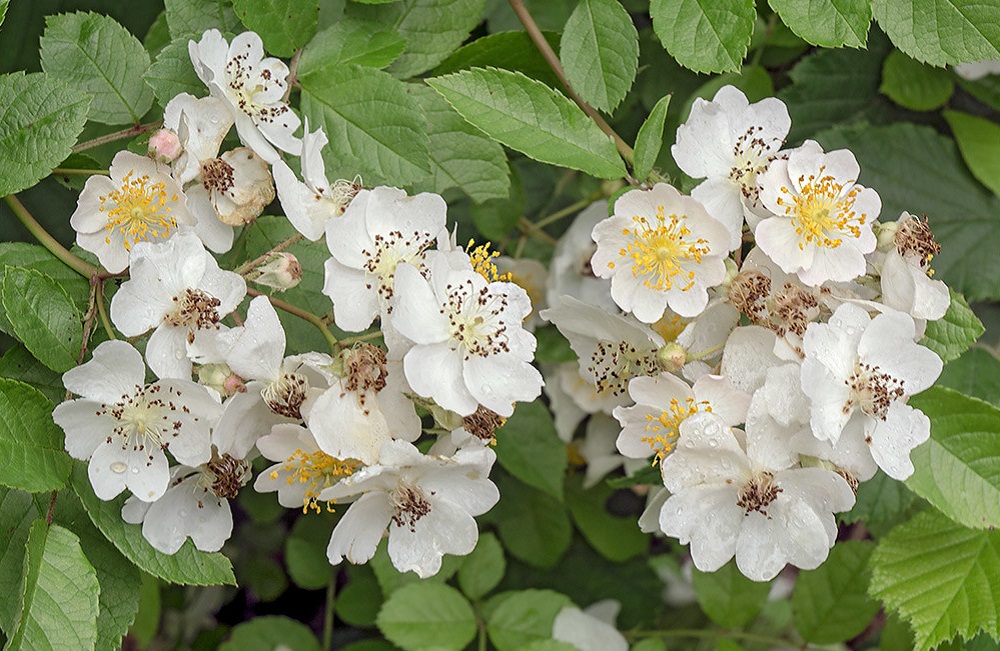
[661, 253]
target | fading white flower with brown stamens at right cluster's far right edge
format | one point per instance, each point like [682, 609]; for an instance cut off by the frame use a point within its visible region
[904, 274]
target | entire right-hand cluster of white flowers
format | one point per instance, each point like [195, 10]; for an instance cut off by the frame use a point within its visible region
[760, 343]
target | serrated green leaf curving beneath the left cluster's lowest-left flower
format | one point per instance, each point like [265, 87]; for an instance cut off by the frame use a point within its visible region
[188, 566]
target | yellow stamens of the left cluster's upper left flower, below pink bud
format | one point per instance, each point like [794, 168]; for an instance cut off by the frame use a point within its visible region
[139, 210]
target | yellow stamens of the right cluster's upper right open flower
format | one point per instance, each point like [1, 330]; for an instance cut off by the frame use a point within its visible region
[821, 211]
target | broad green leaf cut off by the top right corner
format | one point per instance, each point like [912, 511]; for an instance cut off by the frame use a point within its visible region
[941, 32]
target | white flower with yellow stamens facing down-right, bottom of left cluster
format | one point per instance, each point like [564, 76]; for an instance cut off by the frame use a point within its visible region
[302, 471]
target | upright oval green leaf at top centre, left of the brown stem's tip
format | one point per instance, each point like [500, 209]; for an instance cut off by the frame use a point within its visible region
[600, 52]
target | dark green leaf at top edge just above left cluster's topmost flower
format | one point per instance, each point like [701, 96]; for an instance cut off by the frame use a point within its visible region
[283, 25]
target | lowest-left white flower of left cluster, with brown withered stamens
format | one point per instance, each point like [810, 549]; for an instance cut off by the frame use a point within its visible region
[195, 506]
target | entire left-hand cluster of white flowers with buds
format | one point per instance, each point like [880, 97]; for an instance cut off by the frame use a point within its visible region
[336, 427]
